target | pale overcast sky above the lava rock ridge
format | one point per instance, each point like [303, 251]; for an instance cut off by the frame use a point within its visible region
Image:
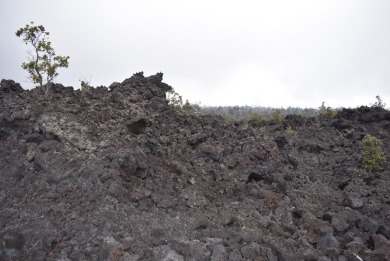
[265, 53]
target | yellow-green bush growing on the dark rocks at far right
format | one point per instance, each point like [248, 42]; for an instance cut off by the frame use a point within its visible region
[374, 158]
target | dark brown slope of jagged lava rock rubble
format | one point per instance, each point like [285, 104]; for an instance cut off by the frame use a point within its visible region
[115, 174]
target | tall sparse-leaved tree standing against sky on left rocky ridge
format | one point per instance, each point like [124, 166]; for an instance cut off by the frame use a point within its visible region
[42, 62]
